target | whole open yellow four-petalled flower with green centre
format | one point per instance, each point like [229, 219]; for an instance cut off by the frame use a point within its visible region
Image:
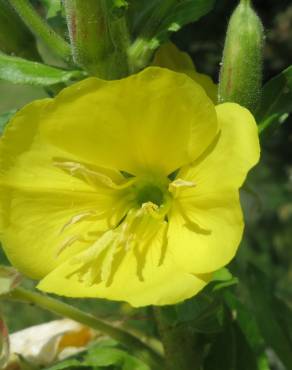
[125, 190]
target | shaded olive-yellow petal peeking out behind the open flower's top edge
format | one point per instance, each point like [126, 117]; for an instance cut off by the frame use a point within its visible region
[169, 56]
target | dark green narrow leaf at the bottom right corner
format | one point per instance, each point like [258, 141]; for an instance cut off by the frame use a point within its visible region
[273, 315]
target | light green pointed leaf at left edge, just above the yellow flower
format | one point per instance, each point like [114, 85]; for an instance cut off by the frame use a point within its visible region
[21, 71]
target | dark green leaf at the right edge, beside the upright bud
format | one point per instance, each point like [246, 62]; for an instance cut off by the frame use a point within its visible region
[276, 102]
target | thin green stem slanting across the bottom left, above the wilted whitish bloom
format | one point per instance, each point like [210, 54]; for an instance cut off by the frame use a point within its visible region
[141, 349]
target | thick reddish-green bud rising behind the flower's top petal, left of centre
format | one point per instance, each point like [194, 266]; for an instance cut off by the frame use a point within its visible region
[98, 36]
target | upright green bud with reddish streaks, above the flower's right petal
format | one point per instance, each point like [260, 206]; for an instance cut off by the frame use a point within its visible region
[241, 70]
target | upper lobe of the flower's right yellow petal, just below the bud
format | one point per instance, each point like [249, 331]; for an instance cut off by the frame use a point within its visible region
[234, 152]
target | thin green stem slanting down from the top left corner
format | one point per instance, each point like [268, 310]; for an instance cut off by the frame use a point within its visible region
[41, 29]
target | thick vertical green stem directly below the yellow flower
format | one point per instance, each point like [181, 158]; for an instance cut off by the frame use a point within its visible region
[182, 350]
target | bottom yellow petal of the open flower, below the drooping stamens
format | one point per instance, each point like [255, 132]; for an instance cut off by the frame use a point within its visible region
[161, 284]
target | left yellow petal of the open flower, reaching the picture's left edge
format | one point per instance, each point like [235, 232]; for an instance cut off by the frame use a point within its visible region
[46, 213]
